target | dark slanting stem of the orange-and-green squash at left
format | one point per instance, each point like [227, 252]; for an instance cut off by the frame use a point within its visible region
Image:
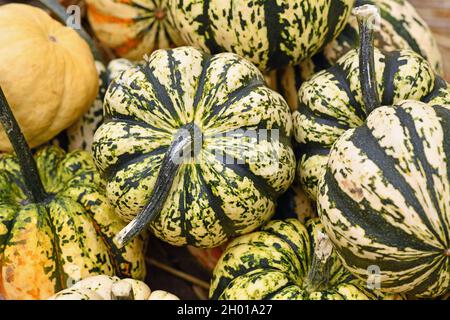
[30, 173]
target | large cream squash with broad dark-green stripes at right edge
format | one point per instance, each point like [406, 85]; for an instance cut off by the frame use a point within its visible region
[385, 198]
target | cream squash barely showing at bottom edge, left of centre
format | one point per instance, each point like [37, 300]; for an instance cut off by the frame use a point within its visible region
[104, 287]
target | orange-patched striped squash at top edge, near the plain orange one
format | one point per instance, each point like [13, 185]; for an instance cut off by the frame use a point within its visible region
[132, 28]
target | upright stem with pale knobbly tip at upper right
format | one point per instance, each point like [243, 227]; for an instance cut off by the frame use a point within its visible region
[368, 19]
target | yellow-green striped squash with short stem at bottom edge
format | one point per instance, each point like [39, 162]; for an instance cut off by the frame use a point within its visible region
[286, 260]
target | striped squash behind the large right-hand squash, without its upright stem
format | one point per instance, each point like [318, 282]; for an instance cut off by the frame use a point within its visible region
[333, 101]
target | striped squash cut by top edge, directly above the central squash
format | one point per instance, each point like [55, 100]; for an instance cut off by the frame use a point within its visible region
[270, 34]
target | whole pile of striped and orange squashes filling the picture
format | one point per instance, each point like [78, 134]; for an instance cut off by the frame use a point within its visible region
[305, 145]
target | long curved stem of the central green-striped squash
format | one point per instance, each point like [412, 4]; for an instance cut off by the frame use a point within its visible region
[179, 150]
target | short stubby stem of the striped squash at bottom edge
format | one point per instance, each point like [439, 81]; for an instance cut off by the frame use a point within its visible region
[319, 273]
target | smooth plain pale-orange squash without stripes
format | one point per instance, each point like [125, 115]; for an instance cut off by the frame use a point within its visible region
[46, 71]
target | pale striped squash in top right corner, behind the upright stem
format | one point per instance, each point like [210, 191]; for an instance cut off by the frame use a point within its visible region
[401, 28]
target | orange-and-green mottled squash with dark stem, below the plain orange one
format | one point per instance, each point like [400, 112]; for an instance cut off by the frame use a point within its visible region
[56, 225]
